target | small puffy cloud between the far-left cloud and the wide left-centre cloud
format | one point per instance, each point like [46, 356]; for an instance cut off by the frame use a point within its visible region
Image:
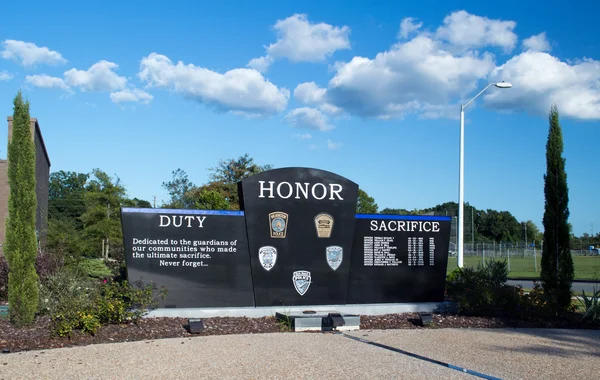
[99, 77]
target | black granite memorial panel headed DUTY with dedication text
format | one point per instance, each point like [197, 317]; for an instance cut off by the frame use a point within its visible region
[200, 256]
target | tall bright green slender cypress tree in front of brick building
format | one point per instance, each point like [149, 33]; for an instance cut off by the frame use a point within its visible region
[21, 241]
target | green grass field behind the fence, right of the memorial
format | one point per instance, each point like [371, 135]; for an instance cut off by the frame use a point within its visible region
[586, 267]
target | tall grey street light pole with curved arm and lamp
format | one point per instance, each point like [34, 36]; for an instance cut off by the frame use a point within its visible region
[461, 175]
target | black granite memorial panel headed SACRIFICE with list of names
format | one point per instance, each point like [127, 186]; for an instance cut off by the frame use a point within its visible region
[399, 259]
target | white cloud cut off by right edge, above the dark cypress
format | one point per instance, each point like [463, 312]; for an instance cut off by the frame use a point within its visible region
[540, 80]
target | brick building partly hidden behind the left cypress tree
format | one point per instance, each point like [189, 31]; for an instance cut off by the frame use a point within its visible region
[42, 176]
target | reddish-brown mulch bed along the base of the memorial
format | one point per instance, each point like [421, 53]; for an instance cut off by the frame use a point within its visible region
[37, 336]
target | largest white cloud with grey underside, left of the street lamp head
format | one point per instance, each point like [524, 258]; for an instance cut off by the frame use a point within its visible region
[405, 79]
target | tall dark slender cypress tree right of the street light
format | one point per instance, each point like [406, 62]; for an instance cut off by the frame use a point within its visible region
[557, 264]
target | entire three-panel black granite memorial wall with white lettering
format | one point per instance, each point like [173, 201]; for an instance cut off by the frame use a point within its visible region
[297, 241]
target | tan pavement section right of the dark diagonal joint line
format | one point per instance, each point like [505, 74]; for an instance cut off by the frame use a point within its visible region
[503, 353]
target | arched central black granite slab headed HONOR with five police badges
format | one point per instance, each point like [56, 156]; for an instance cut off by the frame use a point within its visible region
[300, 225]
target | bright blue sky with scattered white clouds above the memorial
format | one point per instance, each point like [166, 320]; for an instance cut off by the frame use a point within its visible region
[371, 91]
